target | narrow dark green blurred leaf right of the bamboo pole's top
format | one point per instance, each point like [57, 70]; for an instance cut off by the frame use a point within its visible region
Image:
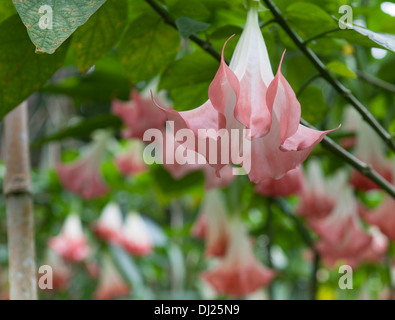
[82, 129]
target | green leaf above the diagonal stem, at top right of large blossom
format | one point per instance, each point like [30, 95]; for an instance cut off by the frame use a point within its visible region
[308, 18]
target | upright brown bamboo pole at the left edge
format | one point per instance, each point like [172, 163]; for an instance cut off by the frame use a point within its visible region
[19, 206]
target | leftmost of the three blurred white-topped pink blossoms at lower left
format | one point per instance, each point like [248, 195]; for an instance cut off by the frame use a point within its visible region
[71, 243]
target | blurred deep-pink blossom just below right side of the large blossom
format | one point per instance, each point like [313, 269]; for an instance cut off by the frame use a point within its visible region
[291, 183]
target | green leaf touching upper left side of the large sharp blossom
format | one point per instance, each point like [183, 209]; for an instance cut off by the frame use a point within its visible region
[188, 80]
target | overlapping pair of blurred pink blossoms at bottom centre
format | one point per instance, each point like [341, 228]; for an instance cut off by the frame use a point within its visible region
[238, 272]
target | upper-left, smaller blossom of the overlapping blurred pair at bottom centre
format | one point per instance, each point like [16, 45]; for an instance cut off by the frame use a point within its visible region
[212, 224]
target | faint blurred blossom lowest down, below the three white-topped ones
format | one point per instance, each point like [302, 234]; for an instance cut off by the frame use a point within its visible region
[111, 284]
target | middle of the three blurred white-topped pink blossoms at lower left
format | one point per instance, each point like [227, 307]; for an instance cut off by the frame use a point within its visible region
[109, 225]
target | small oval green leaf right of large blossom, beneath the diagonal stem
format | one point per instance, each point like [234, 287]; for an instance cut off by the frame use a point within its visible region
[313, 105]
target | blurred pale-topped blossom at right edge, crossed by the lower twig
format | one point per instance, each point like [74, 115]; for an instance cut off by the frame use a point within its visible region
[370, 149]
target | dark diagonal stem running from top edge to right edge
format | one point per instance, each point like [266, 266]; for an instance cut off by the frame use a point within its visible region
[337, 85]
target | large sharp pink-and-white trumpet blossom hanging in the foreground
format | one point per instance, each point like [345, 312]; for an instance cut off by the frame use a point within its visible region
[246, 95]
